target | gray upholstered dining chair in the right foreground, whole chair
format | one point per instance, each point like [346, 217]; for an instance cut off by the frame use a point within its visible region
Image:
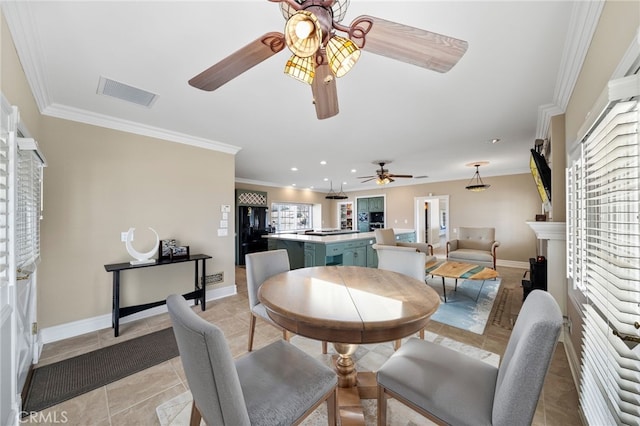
[449, 387]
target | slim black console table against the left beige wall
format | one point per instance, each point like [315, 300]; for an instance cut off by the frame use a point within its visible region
[198, 294]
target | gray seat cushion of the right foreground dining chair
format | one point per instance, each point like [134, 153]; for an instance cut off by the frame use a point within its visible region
[450, 385]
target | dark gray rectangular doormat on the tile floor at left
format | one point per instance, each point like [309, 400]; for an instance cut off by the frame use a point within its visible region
[54, 383]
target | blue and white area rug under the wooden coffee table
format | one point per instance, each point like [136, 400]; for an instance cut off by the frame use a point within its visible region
[462, 310]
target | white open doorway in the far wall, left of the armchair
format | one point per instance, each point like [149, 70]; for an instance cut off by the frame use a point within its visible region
[432, 220]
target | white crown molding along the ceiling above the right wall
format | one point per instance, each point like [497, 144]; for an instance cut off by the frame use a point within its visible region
[584, 21]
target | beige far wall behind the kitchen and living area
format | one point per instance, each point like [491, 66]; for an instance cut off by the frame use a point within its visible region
[507, 205]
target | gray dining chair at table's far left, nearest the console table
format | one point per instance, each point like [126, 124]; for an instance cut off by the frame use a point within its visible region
[260, 266]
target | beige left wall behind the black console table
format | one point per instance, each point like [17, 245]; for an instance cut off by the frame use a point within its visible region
[98, 183]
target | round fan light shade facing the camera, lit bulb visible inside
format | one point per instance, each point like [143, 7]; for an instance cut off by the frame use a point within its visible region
[303, 33]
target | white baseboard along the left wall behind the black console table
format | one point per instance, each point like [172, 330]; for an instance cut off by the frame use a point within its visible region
[88, 325]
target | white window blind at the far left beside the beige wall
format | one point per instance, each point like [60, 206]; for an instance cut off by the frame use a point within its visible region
[28, 209]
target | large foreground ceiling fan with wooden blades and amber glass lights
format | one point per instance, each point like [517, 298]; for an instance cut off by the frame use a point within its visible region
[320, 55]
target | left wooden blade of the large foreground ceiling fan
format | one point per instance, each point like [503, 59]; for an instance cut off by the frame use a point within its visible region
[238, 62]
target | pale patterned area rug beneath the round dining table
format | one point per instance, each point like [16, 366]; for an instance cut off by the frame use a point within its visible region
[177, 411]
